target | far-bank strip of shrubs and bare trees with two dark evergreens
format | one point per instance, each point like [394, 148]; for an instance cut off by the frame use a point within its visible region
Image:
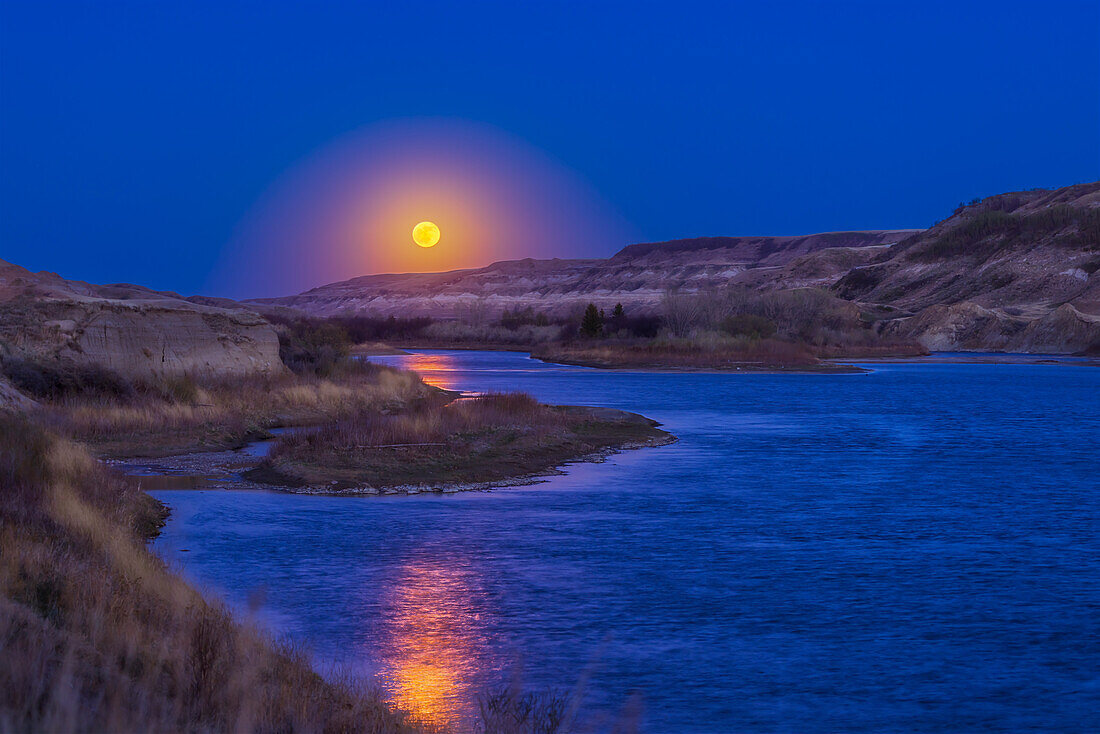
[727, 330]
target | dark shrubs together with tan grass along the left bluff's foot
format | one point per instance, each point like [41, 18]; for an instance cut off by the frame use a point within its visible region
[117, 418]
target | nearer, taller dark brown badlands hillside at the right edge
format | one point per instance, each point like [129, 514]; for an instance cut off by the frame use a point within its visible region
[1014, 272]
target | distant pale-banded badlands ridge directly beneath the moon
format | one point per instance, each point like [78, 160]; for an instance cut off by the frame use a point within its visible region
[637, 277]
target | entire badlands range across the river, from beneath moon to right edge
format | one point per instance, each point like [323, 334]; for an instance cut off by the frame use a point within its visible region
[1014, 272]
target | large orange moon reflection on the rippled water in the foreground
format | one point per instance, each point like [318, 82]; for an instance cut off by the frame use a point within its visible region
[434, 651]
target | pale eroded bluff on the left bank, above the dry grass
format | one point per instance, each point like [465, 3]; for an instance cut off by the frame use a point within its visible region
[133, 331]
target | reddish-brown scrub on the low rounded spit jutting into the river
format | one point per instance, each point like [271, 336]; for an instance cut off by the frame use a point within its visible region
[486, 440]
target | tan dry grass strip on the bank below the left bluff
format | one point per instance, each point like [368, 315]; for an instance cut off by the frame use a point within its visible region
[205, 415]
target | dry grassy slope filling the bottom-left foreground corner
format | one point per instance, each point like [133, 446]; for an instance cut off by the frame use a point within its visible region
[96, 636]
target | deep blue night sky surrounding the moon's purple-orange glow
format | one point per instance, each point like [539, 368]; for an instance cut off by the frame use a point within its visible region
[136, 138]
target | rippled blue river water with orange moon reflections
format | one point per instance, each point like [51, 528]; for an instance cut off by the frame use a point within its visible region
[912, 550]
